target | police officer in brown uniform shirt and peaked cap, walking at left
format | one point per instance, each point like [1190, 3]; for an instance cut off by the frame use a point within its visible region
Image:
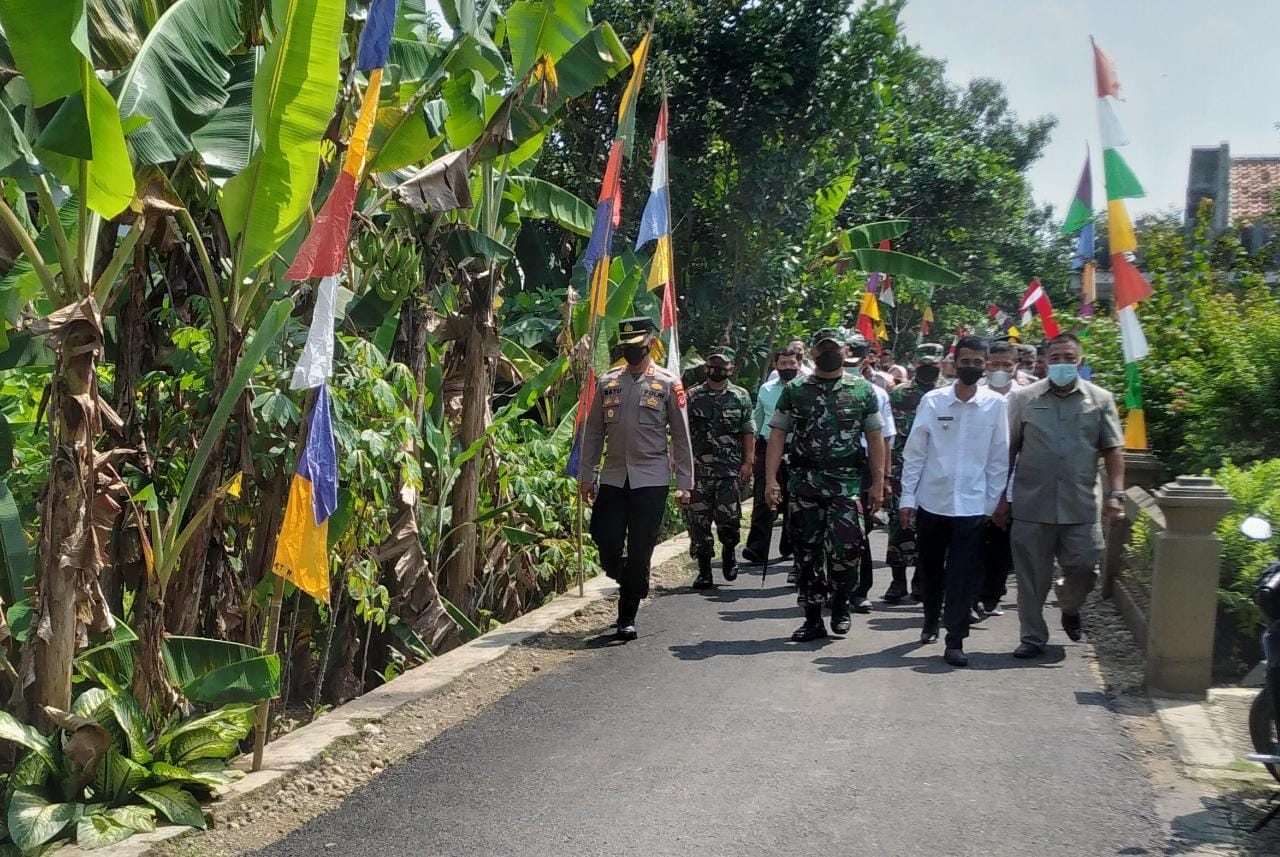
[636, 411]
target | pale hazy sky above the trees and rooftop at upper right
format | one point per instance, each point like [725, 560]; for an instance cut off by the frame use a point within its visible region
[1194, 74]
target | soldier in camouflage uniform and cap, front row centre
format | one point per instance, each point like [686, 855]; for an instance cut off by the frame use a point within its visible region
[825, 415]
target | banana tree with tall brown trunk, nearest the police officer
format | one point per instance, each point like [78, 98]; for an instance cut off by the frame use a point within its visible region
[478, 193]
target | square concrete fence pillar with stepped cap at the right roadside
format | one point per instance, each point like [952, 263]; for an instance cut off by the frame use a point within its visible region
[1185, 586]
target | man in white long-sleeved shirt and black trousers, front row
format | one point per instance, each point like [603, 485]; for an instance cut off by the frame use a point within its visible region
[956, 468]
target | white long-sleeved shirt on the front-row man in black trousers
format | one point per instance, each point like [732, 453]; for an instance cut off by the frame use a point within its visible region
[957, 459]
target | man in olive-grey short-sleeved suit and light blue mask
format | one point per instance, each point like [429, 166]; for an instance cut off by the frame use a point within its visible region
[1058, 429]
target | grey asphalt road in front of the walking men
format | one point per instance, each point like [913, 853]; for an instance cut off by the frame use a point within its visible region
[715, 735]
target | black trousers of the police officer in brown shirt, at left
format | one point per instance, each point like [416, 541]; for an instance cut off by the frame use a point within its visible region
[628, 520]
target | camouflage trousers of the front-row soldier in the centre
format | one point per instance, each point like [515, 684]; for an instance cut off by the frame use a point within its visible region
[828, 538]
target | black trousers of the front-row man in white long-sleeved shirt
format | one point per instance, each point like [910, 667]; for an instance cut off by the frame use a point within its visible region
[950, 560]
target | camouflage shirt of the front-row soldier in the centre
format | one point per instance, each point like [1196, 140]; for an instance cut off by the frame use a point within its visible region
[826, 419]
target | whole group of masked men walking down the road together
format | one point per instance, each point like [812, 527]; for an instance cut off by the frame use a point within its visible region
[985, 462]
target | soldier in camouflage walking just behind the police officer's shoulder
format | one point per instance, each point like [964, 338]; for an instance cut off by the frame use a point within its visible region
[724, 437]
